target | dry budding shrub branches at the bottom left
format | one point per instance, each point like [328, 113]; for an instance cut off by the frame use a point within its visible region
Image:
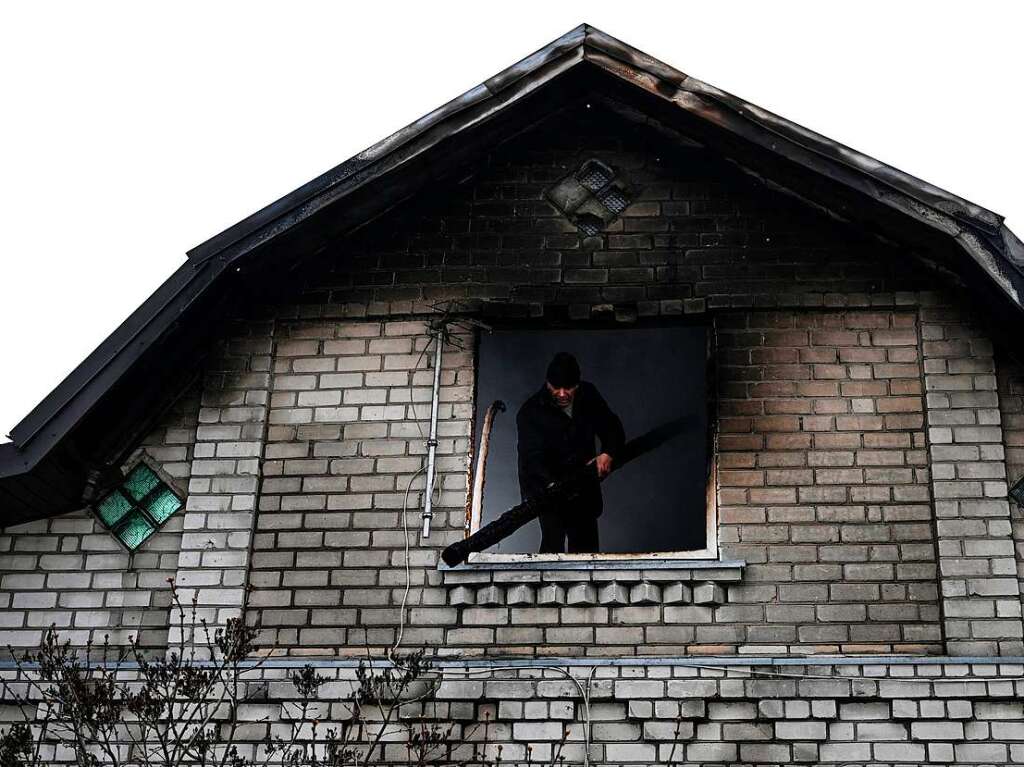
[182, 709]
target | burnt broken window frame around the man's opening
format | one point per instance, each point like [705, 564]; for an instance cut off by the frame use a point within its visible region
[710, 552]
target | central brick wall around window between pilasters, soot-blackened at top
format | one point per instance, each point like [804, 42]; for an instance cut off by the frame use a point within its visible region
[825, 488]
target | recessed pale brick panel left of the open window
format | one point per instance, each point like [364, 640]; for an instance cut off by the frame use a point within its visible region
[347, 438]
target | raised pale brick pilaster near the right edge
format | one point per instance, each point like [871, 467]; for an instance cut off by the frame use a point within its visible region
[977, 567]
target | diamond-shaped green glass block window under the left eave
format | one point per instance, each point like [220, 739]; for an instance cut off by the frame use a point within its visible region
[138, 509]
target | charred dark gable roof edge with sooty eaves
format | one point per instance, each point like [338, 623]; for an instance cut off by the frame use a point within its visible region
[44, 471]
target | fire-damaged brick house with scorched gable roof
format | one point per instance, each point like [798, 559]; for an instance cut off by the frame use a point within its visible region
[858, 599]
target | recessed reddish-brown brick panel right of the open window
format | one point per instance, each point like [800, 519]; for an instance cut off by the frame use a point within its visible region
[824, 481]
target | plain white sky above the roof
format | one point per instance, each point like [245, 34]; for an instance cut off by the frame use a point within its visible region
[131, 133]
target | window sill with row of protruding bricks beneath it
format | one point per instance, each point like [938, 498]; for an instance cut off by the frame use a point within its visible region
[591, 582]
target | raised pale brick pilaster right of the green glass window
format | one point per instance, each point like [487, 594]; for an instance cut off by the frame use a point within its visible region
[214, 564]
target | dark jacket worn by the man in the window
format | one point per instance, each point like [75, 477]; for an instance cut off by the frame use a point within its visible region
[552, 445]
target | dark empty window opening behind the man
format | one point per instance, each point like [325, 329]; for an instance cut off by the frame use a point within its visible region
[661, 503]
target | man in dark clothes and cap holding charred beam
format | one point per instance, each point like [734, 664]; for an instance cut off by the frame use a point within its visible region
[559, 428]
